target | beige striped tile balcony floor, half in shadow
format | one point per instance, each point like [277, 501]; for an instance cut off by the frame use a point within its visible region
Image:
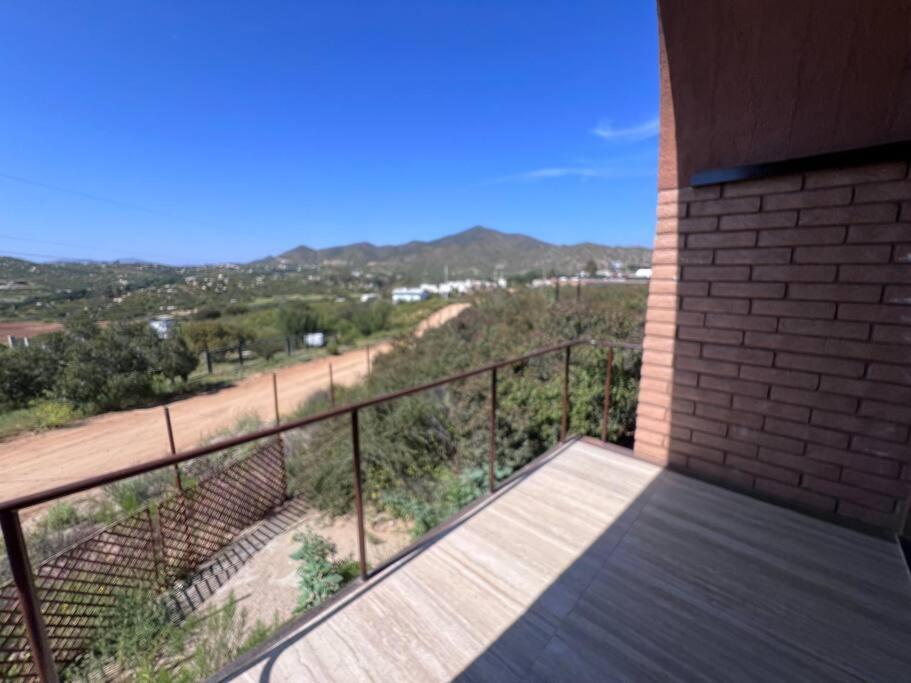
[599, 567]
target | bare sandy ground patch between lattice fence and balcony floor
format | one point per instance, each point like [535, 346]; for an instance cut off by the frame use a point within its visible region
[266, 586]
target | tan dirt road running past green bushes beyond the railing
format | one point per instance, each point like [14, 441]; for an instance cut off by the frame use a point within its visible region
[114, 440]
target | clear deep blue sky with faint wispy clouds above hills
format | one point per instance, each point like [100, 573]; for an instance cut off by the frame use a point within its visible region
[188, 132]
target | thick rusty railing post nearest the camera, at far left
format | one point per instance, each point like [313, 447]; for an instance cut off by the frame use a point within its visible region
[29, 605]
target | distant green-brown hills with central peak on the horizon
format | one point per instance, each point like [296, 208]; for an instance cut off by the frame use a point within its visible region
[477, 252]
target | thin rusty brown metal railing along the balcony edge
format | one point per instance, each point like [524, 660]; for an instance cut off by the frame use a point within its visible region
[24, 579]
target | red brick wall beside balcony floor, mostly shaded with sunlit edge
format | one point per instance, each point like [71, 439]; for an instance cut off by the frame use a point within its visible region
[778, 340]
